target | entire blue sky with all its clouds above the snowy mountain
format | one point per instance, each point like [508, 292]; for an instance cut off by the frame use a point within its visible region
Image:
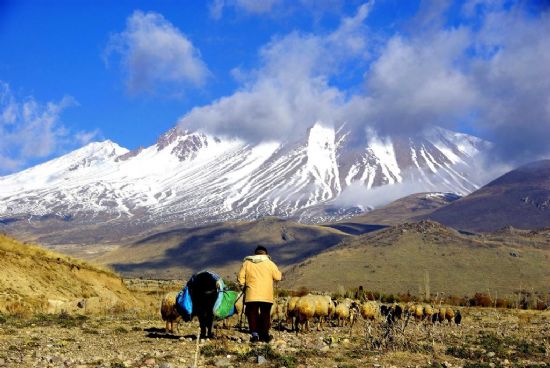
[76, 71]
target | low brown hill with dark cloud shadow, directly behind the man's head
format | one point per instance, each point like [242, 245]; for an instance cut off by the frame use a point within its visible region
[180, 252]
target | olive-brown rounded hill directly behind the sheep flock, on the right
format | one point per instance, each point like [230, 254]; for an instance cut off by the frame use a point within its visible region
[399, 258]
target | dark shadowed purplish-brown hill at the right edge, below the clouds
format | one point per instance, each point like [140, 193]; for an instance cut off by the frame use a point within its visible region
[520, 198]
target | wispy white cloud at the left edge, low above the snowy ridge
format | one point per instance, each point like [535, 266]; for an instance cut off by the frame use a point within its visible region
[30, 130]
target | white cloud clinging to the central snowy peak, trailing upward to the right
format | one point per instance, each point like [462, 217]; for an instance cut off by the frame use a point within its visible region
[290, 90]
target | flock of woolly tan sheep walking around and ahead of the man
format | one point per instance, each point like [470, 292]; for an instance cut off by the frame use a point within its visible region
[300, 311]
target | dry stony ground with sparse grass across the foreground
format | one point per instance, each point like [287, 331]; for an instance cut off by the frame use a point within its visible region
[486, 338]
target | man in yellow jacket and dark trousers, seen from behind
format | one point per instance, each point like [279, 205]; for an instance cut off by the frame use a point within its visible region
[256, 277]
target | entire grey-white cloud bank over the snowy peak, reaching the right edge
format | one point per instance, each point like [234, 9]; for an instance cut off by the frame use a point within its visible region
[483, 72]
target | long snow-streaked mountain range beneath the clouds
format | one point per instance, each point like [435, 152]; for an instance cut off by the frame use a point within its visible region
[193, 178]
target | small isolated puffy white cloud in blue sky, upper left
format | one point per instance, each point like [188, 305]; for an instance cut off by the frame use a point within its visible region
[156, 55]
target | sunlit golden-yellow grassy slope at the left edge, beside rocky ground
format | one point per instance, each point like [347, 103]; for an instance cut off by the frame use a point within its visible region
[33, 279]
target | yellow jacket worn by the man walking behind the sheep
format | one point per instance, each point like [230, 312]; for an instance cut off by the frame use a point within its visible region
[257, 274]
